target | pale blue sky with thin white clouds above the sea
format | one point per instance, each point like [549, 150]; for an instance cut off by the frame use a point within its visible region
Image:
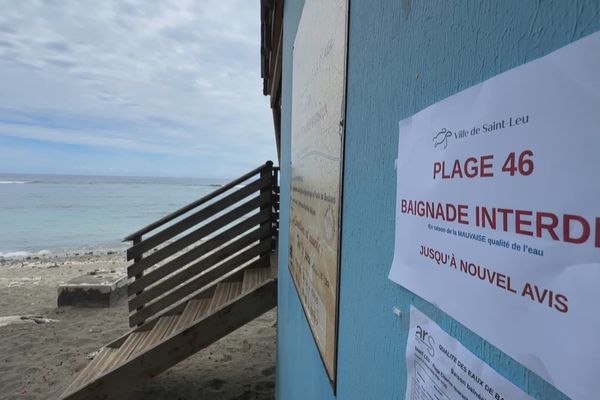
[132, 87]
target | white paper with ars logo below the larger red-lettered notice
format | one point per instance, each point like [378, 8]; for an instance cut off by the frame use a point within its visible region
[439, 367]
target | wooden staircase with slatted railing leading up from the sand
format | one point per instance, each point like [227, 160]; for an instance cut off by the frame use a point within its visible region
[199, 278]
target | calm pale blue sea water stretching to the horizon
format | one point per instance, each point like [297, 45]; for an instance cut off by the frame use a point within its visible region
[42, 214]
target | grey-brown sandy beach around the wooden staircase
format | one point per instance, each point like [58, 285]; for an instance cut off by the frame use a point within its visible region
[39, 360]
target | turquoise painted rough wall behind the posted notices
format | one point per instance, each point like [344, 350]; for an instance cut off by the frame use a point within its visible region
[403, 56]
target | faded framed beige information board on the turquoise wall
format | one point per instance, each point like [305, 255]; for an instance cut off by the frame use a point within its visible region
[318, 88]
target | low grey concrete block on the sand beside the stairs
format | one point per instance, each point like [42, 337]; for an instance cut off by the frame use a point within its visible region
[99, 289]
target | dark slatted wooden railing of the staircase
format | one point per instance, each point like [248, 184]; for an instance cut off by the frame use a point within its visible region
[178, 257]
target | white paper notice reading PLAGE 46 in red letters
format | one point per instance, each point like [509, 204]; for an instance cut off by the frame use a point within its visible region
[498, 213]
